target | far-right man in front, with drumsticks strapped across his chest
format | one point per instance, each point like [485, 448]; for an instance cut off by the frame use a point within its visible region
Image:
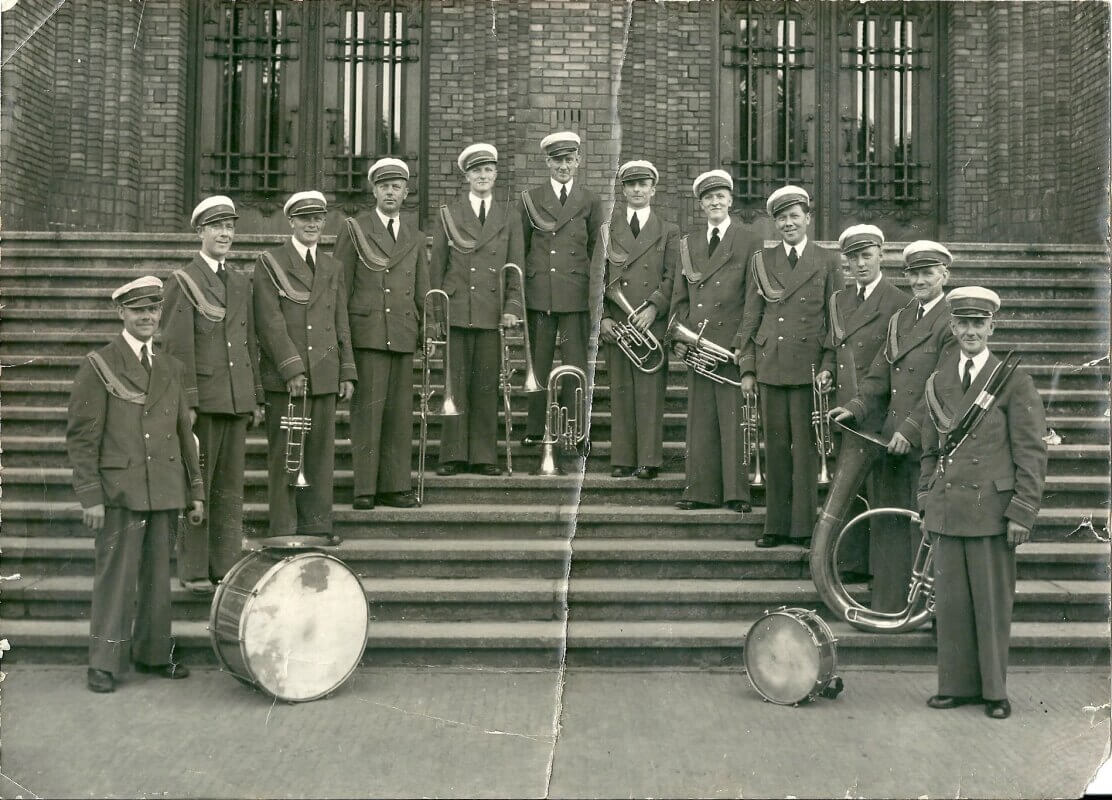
[979, 495]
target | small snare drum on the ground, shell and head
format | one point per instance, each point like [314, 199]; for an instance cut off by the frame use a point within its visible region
[790, 656]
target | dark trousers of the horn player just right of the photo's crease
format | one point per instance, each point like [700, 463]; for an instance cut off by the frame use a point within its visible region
[637, 412]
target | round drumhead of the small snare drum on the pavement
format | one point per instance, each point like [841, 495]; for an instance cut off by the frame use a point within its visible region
[783, 660]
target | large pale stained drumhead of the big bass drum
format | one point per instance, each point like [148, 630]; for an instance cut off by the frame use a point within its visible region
[305, 630]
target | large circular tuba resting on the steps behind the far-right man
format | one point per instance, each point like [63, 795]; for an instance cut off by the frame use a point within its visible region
[859, 452]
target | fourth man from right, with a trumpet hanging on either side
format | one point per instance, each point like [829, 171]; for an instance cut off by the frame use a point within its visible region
[782, 334]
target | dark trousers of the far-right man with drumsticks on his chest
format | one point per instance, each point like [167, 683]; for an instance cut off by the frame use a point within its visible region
[975, 591]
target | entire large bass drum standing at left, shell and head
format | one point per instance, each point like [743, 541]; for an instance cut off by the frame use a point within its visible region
[293, 625]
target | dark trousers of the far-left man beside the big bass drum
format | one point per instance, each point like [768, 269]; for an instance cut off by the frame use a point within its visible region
[131, 617]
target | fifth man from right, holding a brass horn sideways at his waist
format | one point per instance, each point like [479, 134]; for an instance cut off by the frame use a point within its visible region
[712, 288]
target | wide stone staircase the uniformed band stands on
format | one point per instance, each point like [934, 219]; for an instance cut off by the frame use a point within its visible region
[478, 576]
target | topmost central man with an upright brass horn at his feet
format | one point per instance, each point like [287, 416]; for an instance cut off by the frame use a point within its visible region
[560, 222]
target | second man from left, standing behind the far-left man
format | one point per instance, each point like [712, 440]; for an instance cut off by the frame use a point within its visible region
[210, 327]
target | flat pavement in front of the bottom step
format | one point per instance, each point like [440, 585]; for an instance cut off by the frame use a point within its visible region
[534, 734]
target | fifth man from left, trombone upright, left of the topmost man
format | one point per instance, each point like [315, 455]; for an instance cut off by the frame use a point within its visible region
[478, 235]
